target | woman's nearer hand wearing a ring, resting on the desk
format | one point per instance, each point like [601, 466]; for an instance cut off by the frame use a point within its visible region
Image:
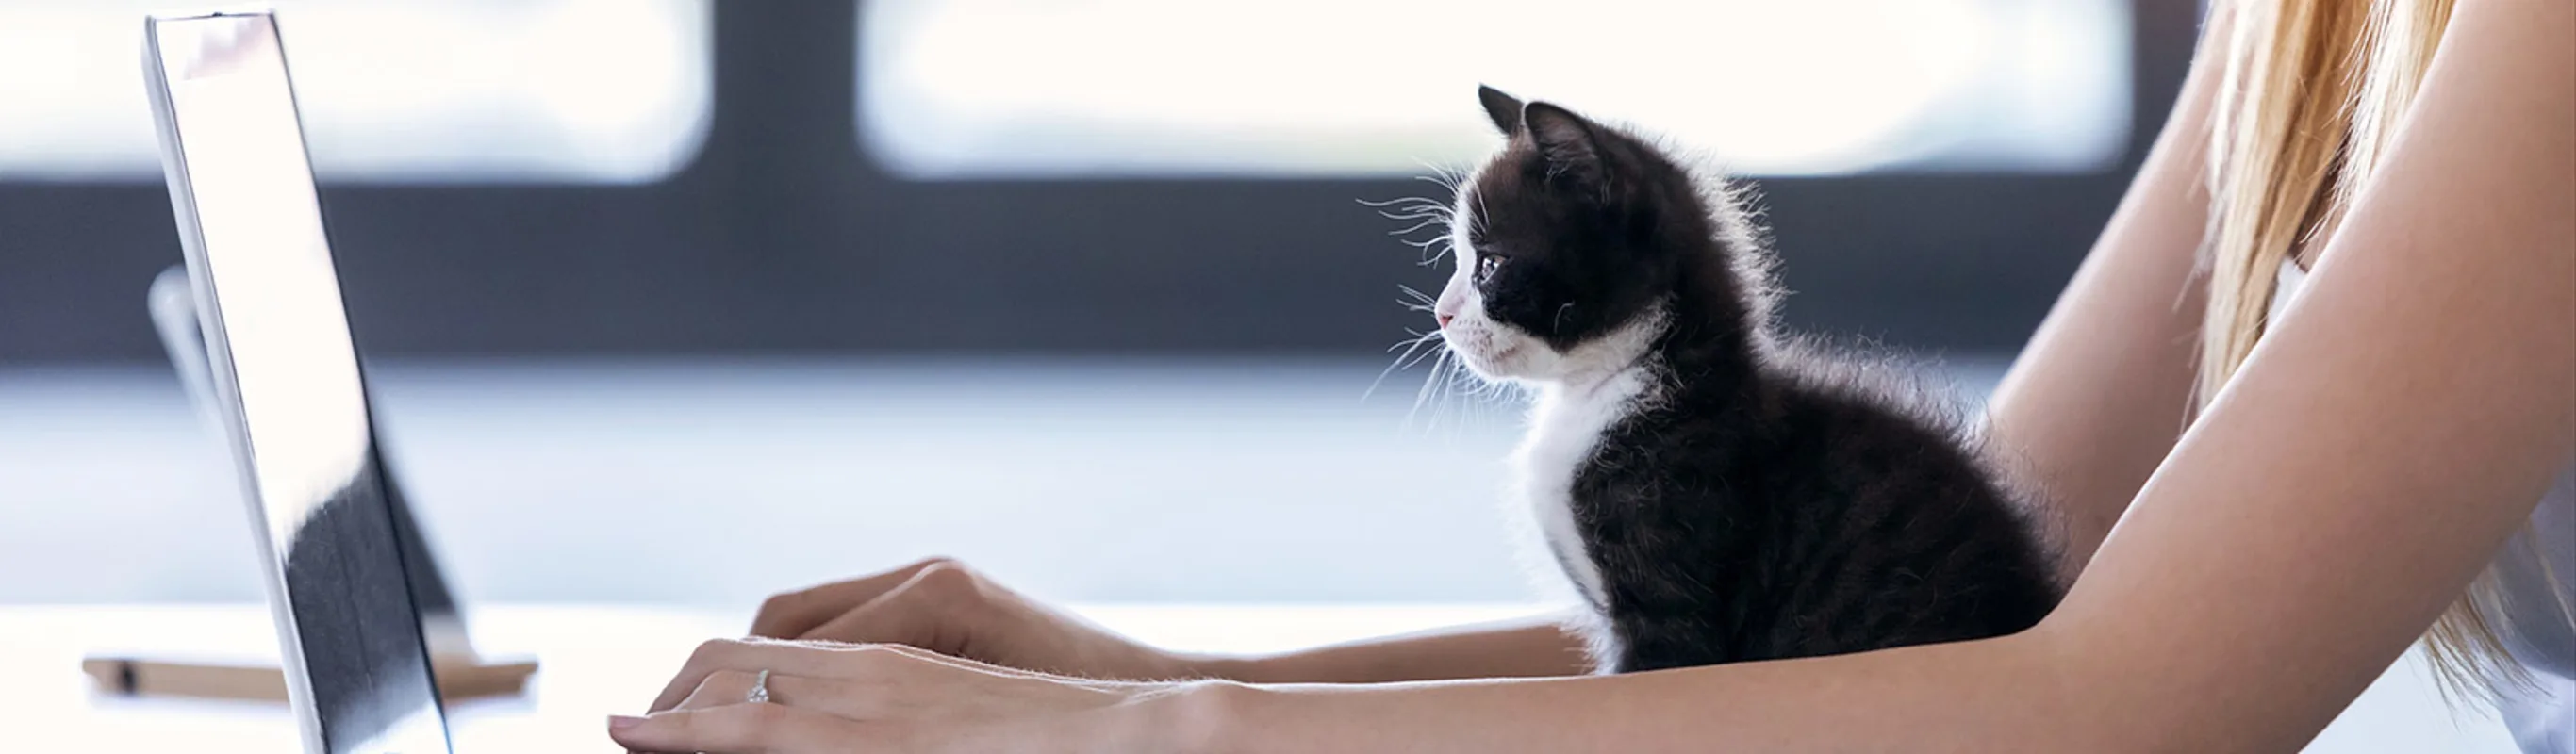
[895, 699]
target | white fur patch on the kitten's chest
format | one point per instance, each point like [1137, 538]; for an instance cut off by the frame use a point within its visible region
[1565, 431]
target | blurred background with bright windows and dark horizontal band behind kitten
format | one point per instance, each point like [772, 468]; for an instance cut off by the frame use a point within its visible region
[689, 302]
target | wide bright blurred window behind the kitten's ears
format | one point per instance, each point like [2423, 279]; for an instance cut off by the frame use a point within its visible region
[1011, 89]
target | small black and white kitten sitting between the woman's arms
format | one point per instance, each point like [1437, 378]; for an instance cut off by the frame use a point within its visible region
[1714, 490]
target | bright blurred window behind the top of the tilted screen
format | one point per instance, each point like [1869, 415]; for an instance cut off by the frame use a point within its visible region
[398, 91]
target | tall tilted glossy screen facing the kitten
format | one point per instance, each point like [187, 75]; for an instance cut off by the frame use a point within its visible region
[287, 382]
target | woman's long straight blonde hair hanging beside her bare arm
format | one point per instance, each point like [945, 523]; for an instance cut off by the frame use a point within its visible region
[2309, 102]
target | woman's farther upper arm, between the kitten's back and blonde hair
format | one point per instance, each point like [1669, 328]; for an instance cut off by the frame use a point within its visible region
[2103, 390]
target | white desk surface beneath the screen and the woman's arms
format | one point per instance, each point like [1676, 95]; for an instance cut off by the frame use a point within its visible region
[614, 660]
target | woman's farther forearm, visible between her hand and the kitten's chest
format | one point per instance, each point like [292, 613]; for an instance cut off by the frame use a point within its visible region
[1531, 647]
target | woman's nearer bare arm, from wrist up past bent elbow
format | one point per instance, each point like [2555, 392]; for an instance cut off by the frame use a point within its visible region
[2338, 495]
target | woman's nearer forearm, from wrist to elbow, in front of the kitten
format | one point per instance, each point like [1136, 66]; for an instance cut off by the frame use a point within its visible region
[1980, 696]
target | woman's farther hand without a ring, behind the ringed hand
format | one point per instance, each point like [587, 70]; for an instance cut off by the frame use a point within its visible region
[947, 609]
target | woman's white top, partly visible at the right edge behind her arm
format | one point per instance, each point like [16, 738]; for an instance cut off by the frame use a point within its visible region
[2536, 616]
